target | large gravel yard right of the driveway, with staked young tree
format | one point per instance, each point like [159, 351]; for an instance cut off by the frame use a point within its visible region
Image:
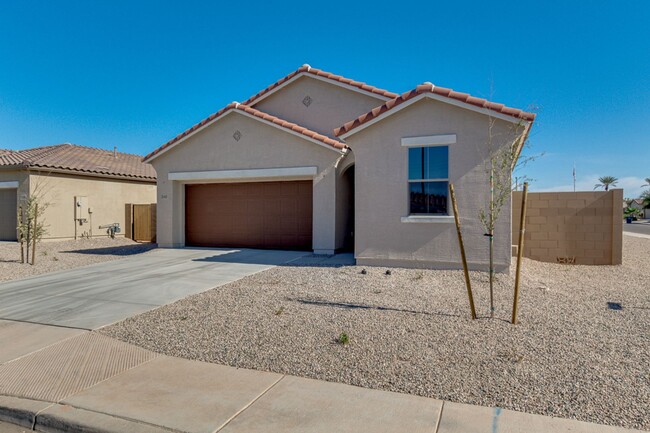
[571, 356]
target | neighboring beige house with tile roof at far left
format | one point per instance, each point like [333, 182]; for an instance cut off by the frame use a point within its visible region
[85, 188]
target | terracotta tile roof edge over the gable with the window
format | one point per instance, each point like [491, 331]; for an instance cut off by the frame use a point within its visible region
[430, 88]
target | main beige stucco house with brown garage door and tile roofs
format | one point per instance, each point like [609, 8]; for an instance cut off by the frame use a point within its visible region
[324, 163]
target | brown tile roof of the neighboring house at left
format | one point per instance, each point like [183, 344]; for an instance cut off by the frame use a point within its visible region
[74, 158]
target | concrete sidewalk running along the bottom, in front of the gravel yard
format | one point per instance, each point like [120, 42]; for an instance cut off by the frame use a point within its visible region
[90, 382]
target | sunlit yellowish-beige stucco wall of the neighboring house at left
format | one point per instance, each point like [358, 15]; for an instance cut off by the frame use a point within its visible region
[106, 199]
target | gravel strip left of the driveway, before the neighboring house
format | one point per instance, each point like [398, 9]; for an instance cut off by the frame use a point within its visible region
[60, 255]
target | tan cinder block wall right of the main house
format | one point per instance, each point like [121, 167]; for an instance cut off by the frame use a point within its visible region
[584, 227]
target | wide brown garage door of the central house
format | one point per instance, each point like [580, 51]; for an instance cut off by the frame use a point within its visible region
[274, 215]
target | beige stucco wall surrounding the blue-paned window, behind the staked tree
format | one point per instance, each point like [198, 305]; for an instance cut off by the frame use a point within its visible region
[382, 190]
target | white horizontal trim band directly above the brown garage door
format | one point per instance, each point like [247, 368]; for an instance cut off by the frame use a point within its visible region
[247, 174]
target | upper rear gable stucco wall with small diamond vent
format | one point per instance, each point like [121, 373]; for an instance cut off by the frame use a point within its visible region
[331, 105]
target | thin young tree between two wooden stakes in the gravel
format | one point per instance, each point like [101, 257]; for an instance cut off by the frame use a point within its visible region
[503, 153]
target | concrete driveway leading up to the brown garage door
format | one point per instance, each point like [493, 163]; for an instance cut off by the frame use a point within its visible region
[94, 296]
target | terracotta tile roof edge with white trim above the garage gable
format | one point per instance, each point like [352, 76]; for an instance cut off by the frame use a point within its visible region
[254, 112]
